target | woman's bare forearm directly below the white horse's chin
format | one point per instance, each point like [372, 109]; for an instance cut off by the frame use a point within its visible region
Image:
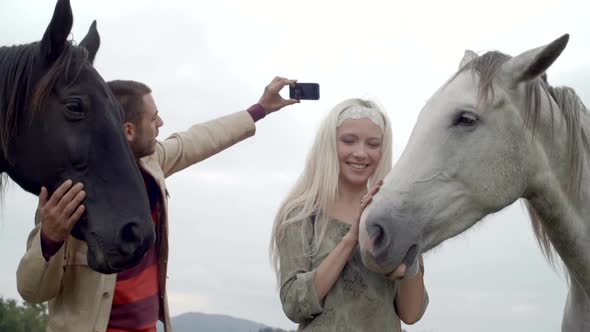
[409, 298]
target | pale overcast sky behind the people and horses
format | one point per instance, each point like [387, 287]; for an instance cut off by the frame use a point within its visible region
[205, 59]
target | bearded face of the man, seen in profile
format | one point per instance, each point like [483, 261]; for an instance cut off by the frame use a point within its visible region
[143, 138]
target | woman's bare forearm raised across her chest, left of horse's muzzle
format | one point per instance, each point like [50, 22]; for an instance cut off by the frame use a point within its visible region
[328, 271]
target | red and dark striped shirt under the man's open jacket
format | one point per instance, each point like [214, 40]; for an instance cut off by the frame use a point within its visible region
[136, 304]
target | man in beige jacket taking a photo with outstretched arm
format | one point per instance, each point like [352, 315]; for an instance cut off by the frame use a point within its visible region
[81, 299]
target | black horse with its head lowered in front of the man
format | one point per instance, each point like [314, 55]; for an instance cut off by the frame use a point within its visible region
[58, 121]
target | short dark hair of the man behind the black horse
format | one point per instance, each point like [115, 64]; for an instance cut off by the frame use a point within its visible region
[130, 94]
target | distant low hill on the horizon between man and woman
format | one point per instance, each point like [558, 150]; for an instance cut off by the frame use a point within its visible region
[200, 322]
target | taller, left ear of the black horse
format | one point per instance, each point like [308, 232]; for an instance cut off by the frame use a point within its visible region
[55, 37]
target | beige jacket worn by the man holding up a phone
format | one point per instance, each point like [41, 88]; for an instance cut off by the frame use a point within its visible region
[80, 299]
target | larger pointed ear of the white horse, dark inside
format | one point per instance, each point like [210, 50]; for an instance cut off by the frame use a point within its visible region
[533, 63]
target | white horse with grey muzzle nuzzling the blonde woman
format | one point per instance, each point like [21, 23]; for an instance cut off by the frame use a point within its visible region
[494, 133]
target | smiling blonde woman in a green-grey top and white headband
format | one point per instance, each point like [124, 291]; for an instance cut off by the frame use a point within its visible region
[323, 283]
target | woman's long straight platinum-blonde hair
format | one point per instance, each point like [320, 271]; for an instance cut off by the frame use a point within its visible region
[317, 187]
